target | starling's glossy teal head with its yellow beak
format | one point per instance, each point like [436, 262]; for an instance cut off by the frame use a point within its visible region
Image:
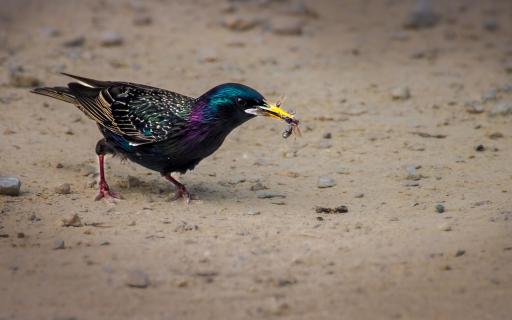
[236, 103]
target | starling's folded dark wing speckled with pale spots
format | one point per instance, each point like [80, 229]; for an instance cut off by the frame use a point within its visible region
[139, 113]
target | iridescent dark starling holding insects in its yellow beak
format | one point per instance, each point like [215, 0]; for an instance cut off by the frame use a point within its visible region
[159, 129]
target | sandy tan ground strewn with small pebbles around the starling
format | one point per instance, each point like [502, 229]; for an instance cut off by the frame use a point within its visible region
[230, 254]
